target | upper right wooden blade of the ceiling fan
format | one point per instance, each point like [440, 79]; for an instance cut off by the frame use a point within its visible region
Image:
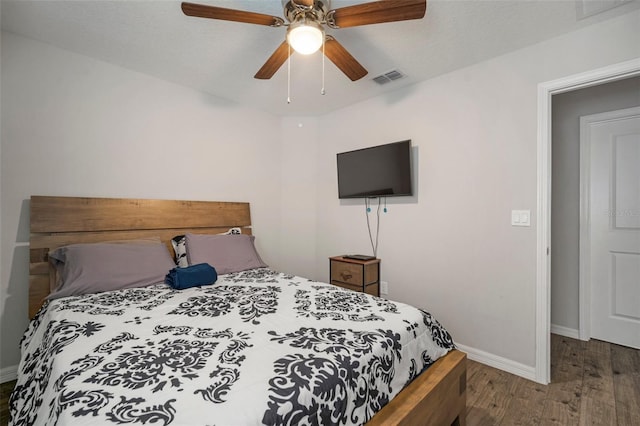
[378, 12]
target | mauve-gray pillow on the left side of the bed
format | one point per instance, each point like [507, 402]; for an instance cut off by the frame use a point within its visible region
[97, 267]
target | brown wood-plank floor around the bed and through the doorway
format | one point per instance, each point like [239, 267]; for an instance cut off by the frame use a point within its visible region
[592, 383]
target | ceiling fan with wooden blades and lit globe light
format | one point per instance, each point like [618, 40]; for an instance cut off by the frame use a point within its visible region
[306, 21]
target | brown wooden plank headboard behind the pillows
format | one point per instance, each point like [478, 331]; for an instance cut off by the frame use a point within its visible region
[59, 221]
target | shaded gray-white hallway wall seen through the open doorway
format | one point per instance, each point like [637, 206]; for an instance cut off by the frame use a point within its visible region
[567, 108]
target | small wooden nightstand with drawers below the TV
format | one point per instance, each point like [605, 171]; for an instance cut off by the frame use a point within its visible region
[358, 275]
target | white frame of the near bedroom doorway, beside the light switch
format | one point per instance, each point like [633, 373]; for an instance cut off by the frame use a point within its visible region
[543, 217]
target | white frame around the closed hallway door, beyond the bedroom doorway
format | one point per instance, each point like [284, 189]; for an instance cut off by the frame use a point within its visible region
[585, 206]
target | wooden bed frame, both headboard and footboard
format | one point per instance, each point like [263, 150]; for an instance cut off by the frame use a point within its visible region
[436, 397]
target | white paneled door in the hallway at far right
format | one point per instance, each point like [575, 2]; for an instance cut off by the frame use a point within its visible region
[610, 180]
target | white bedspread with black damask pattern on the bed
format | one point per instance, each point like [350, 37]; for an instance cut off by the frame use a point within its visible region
[258, 347]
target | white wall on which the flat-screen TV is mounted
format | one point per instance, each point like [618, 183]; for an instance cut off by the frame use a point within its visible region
[451, 248]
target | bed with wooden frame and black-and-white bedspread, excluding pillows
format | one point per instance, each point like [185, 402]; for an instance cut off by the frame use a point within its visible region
[257, 347]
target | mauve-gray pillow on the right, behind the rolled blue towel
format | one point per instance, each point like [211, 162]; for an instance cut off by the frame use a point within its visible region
[226, 253]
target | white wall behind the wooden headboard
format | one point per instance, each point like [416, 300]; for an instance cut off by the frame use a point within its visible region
[75, 126]
